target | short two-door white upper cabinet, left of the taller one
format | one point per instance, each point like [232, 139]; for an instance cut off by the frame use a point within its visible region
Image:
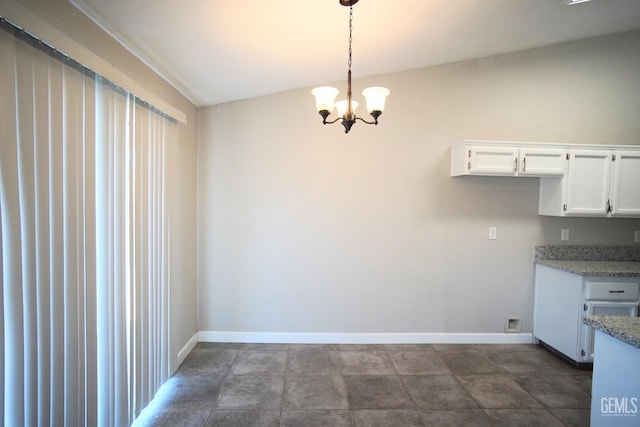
[506, 159]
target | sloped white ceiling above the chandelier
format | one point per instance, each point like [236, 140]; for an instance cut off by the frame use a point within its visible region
[215, 51]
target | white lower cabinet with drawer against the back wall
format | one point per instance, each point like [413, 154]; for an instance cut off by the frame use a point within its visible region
[562, 299]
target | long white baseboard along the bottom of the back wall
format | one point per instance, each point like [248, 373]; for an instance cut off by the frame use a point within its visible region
[365, 338]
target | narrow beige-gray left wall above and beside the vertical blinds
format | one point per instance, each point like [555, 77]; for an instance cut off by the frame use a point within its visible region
[68, 20]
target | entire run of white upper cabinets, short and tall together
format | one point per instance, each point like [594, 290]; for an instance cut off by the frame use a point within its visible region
[575, 179]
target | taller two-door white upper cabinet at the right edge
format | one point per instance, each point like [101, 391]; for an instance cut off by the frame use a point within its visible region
[599, 183]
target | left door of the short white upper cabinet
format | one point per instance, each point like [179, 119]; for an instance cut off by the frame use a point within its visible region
[493, 160]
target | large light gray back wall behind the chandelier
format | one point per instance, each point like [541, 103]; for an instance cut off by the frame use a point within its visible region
[302, 228]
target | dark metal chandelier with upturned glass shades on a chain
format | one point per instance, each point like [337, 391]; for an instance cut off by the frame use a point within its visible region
[326, 96]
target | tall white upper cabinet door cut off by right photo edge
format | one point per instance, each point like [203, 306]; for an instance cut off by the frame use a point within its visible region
[625, 190]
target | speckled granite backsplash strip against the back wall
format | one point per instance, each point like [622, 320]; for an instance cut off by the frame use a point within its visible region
[586, 253]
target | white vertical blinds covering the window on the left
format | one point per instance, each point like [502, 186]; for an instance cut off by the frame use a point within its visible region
[85, 242]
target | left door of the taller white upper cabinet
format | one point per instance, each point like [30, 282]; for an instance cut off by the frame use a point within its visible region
[589, 183]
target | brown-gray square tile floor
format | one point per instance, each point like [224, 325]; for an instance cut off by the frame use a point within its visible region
[371, 385]
